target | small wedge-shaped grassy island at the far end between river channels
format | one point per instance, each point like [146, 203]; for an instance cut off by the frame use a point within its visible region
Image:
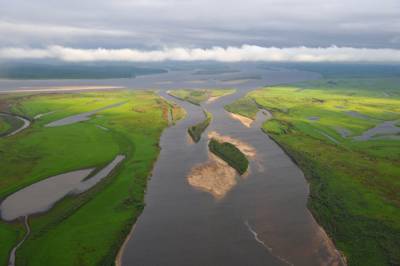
[197, 96]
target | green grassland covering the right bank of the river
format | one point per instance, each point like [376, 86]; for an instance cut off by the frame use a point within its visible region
[354, 185]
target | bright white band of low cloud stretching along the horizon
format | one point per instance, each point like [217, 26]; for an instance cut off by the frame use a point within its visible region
[230, 54]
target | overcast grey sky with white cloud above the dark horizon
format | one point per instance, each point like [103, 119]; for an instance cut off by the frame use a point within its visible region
[157, 25]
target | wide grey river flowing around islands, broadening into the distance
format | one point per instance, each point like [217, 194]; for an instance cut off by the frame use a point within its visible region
[262, 220]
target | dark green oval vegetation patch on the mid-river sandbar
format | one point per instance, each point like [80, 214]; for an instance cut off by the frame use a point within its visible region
[230, 154]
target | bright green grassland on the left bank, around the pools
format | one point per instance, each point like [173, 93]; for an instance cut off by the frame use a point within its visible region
[89, 228]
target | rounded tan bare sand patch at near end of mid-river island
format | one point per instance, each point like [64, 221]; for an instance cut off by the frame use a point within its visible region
[215, 176]
